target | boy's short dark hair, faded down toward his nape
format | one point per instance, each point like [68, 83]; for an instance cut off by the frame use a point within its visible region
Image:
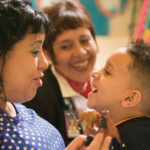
[140, 53]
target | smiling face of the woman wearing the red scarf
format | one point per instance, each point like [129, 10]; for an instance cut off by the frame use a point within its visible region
[75, 53]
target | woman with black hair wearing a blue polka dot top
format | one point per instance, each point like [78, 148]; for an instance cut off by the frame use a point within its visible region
[21, 68]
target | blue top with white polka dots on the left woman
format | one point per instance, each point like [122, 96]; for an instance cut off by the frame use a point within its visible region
[28, 131]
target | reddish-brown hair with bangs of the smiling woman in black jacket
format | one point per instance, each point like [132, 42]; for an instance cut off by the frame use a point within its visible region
[65, 15]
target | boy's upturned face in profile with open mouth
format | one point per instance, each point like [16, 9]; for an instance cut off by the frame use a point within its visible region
[111, 83]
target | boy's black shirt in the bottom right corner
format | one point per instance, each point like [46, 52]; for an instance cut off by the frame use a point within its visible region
[134, 134]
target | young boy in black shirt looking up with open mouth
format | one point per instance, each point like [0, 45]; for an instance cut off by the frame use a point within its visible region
[123, 88]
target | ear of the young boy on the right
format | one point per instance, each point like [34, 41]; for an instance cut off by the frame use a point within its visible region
[132, 99]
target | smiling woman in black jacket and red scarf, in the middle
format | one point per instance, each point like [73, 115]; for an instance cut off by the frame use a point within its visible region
[72, 49]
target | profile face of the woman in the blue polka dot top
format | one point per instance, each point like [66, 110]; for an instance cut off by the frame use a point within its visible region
[23, 68]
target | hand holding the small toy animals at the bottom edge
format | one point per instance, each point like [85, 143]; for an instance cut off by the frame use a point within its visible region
[98, 143]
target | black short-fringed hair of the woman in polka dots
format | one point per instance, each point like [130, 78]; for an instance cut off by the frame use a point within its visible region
[16, 18]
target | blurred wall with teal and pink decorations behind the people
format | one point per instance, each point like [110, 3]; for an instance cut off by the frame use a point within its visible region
[116, 22]
